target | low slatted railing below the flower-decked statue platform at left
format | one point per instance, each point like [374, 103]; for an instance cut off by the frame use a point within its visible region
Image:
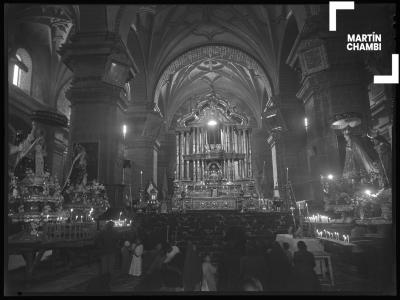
[69, 232]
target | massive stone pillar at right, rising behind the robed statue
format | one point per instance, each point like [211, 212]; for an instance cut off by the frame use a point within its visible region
[333, 82]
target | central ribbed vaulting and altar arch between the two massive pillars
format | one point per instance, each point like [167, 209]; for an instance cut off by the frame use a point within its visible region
[188, 50]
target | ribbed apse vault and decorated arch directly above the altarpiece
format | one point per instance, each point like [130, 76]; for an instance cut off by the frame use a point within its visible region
[225, 70]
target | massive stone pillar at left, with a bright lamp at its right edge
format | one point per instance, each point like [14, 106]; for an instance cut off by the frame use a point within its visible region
[101, 65]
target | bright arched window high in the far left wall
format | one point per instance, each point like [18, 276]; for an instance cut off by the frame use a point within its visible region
[22, 71]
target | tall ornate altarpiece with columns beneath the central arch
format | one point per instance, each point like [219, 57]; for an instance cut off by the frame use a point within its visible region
[213, 169]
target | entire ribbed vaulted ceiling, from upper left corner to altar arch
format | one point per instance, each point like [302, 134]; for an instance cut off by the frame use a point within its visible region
[183, 51]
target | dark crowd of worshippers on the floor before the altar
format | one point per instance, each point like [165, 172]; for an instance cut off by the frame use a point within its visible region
[245, 264]
